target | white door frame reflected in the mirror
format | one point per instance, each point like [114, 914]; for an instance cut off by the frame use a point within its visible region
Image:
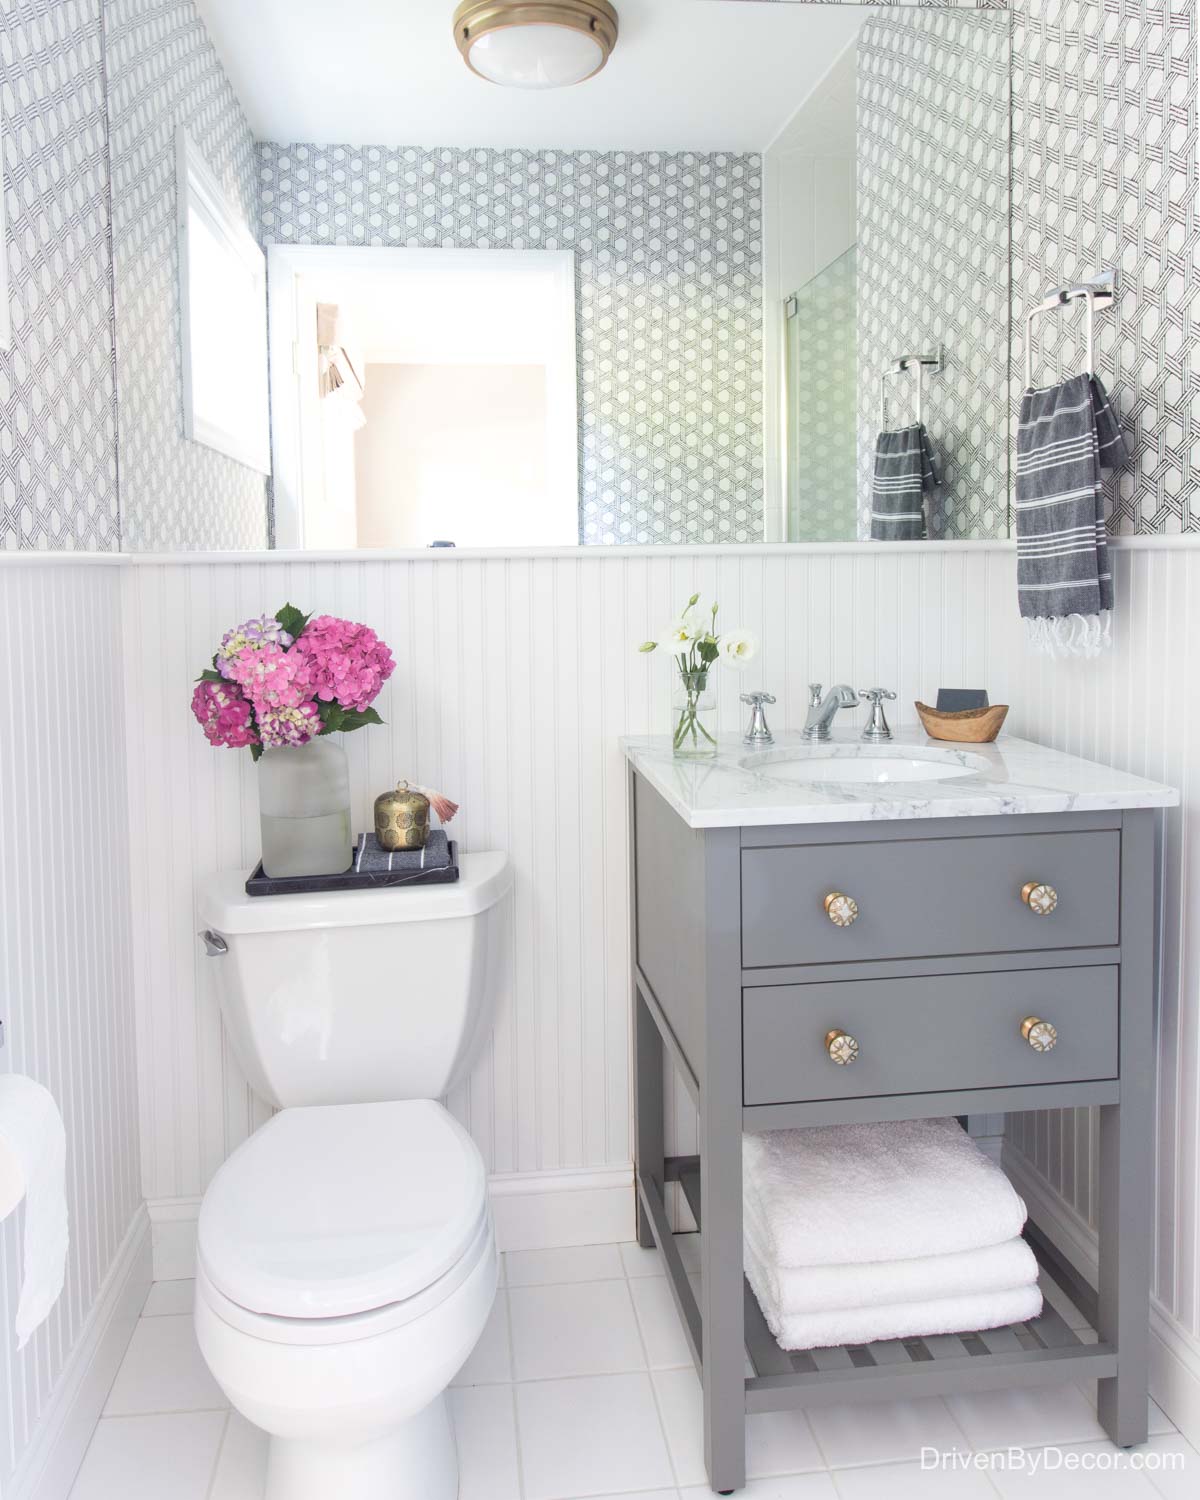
[293, 361]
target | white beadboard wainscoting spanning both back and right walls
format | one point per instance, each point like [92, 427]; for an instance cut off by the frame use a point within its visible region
[517, 676]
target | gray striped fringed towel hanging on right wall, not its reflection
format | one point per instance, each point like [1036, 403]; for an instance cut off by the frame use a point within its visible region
[1069, 436]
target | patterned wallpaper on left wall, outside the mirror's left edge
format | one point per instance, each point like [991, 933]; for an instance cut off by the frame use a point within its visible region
[58, 398]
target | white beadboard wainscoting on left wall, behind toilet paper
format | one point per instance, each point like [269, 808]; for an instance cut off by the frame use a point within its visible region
[67, 1000]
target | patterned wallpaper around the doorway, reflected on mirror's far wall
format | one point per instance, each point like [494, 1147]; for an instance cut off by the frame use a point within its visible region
[668, 272]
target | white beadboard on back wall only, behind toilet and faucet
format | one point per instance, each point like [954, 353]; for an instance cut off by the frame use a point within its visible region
[515, 679]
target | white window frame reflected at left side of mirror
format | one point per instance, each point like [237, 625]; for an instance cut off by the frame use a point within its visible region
[199, 191]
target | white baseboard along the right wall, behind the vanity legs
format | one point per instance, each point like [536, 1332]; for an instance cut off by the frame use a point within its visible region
[1175, 1352]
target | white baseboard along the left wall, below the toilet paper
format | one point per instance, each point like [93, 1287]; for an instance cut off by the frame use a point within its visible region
[52, 1460]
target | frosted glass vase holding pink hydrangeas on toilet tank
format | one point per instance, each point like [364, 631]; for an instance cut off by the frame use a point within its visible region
[304, 805]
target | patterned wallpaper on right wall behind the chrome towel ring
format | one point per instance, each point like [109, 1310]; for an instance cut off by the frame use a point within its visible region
[1105, 173]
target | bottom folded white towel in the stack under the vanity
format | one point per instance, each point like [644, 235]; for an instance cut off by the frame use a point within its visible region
[901, 1319]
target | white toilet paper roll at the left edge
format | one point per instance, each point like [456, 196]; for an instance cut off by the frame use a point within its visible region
[34, 1168]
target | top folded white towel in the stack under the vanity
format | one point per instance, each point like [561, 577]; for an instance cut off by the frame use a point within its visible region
[838, 1195]
